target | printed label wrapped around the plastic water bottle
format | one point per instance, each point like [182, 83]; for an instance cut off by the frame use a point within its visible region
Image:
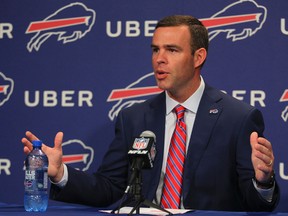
[36, 180]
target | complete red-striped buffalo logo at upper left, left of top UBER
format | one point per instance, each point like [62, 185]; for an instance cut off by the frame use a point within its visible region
[62, 25]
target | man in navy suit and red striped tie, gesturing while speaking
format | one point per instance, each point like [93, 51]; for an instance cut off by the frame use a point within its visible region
[228, 165]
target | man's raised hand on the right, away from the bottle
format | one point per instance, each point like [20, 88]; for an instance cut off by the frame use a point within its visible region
[262, 157]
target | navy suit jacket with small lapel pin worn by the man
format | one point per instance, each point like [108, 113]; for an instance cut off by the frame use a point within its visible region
[218, 169]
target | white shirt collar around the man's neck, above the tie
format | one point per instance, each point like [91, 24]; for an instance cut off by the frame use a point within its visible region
[191, 103]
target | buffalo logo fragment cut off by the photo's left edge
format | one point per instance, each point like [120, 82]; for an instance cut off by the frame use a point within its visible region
[6, 88]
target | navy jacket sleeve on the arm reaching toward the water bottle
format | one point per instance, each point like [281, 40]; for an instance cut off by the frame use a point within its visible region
[103, 187]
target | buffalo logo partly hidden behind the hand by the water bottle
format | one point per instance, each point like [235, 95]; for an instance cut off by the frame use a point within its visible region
[77, 154]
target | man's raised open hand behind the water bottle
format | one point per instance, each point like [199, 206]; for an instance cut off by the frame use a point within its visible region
[55, 167]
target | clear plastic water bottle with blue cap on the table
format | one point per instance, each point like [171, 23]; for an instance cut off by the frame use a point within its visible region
[36, 179]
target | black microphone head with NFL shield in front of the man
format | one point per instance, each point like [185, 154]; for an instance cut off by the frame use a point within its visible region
[142, 152]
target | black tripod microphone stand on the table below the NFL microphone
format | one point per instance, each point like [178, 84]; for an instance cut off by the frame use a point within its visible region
[135, 189]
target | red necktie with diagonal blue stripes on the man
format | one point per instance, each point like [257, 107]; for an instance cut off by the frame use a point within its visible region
[171, 195]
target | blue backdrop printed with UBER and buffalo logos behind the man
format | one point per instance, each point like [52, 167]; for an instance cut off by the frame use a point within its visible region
[71, 66]
